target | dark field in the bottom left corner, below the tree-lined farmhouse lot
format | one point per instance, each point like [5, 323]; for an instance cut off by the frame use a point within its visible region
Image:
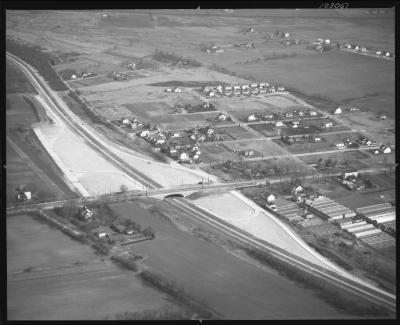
[77, 286]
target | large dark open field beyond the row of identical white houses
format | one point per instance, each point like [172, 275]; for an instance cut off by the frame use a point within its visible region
[321, 71]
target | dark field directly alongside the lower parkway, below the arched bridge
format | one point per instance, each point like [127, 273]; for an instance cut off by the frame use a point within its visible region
[217, 278]
